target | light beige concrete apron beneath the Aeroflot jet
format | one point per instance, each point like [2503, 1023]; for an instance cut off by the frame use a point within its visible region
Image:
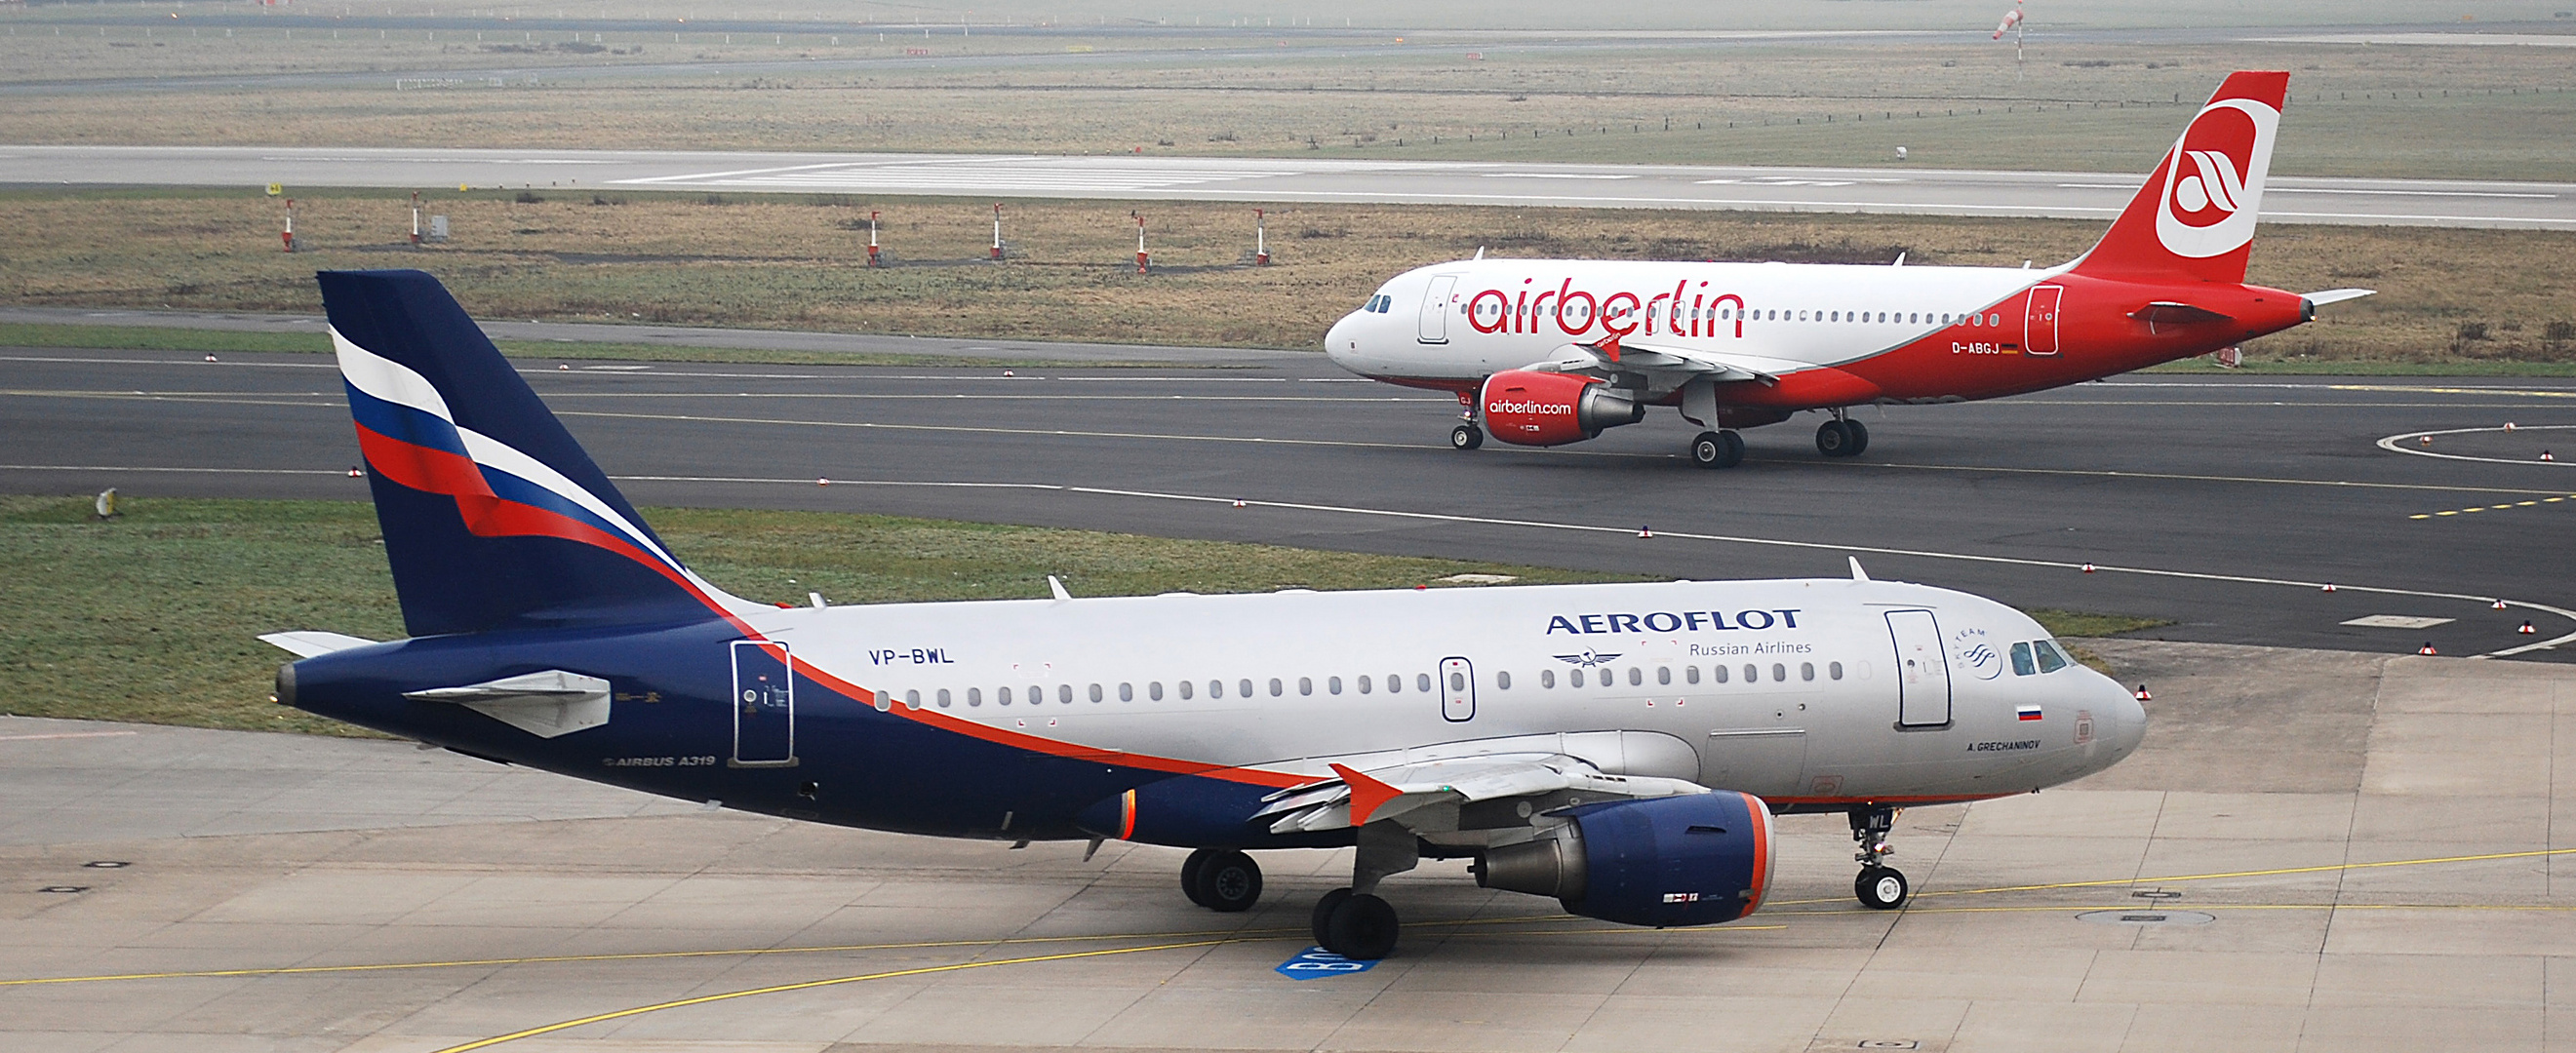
[2312, 851]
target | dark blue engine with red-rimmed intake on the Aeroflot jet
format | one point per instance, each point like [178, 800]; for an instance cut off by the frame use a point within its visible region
[1699, 859]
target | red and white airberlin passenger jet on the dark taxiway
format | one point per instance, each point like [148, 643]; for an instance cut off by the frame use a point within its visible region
[1557, 351]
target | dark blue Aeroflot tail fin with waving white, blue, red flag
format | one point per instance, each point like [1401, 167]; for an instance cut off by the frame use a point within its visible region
[493, 516]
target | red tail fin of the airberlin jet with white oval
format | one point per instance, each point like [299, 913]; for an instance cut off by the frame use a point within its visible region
[2196, 215]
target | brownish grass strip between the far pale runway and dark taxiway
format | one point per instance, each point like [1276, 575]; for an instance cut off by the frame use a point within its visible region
[787, 264]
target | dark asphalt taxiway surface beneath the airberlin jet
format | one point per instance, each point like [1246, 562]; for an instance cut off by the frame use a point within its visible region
[2222, 503]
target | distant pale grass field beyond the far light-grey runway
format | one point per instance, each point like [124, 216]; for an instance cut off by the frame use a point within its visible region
[2433, 112]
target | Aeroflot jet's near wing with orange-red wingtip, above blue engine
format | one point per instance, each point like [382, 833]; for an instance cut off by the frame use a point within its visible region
[1428, 794]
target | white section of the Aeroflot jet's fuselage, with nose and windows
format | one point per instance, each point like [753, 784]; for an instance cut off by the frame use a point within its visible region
[1792, 691]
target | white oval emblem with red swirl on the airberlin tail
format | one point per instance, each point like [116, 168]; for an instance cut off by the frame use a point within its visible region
[2214, 179]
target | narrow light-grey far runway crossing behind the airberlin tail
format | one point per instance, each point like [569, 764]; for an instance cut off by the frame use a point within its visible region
[1245, 179]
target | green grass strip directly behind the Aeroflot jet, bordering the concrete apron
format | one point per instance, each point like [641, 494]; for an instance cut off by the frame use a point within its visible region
[153, 617]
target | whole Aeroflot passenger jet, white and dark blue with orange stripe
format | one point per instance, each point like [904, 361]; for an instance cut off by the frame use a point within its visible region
[1619, 748]
